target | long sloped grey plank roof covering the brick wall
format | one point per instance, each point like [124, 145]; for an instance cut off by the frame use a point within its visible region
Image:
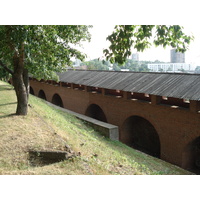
[183, 86]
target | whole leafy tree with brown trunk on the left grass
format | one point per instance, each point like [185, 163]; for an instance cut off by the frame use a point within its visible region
[39, 50]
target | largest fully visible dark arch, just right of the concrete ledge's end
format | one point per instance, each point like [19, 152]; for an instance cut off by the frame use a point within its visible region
[140, 134]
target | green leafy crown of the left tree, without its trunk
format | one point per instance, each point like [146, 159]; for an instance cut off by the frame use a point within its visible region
[45, 48]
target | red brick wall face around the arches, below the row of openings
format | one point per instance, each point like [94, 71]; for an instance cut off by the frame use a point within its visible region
[176, 127]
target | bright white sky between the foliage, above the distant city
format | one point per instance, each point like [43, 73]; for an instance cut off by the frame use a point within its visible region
[94, 49]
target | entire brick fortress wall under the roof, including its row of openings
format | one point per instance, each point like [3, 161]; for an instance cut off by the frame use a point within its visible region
[177, 126]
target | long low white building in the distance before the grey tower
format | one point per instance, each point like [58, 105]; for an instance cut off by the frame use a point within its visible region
[169, 67]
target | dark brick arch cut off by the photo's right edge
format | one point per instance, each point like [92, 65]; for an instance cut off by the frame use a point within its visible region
[191, 156]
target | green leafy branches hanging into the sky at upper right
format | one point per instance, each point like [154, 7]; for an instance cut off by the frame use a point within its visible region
[140, 37]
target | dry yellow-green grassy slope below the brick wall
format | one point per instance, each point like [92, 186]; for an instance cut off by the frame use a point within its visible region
[36, 131]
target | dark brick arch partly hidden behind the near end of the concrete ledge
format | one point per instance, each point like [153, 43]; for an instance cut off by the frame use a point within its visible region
[96, 112]
